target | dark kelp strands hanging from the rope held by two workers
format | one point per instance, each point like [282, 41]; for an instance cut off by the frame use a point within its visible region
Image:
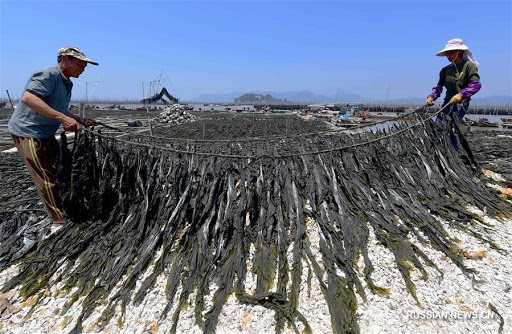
[197, 211]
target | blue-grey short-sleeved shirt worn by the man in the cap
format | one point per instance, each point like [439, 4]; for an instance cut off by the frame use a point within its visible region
[52, 87]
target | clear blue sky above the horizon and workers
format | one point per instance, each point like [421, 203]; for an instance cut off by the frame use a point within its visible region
[362, 47]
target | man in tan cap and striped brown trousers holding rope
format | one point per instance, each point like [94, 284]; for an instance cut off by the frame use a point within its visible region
[43, 107]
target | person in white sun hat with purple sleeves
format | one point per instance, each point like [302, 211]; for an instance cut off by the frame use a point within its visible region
[460, 78]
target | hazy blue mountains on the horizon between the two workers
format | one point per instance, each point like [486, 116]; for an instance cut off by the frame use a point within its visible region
[304, 96]
